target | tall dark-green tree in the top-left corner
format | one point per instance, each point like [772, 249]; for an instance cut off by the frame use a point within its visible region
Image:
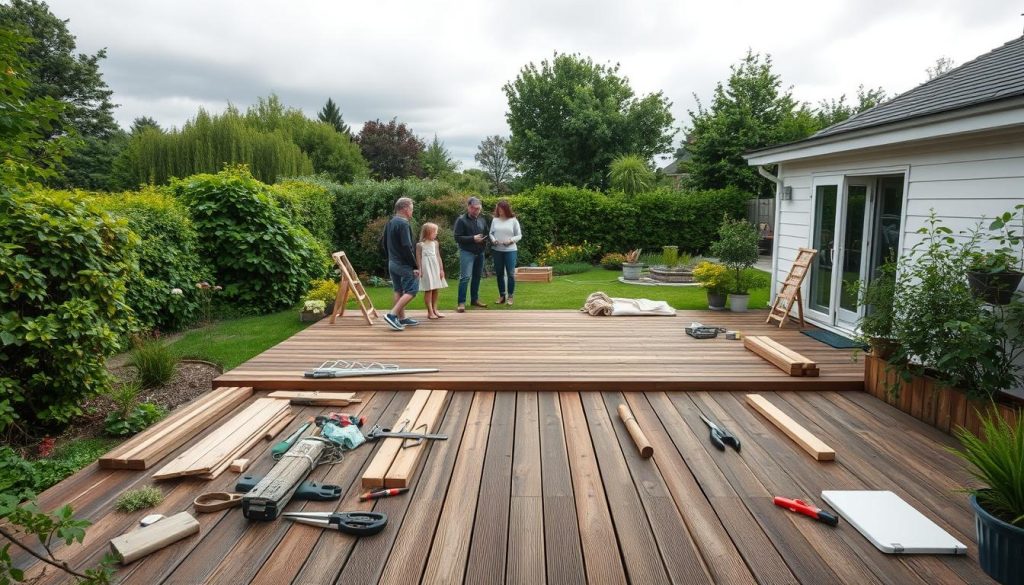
[56, 71]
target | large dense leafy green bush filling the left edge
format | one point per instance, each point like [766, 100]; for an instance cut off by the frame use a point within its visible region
[64, 265]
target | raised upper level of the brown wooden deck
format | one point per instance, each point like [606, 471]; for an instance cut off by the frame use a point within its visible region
[549, 351]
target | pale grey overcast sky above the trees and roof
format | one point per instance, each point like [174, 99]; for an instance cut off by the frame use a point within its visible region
[440, 65]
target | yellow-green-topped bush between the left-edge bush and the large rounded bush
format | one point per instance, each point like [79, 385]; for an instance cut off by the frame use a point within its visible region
[162, 294]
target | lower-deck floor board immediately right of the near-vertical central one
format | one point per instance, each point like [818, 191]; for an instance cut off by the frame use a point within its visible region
[564, 555]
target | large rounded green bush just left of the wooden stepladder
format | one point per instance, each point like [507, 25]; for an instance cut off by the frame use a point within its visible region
[264, 262]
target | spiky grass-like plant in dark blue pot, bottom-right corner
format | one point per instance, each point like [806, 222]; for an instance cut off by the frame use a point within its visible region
[998, 463]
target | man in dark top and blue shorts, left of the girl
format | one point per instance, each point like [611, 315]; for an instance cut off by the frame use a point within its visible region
[402, 264]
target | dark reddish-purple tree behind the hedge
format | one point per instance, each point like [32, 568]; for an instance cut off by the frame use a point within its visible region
[392, 149]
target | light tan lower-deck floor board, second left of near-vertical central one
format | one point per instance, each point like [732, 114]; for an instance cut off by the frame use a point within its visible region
[450, 551]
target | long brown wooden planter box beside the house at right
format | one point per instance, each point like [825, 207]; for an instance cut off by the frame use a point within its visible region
[930, 401]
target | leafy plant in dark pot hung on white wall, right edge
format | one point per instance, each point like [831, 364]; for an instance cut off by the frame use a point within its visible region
[995, 275]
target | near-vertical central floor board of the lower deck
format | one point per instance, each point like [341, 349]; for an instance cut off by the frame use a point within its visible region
[526, 555]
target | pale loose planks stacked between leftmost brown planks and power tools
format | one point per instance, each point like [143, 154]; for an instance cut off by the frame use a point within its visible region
[212, 456]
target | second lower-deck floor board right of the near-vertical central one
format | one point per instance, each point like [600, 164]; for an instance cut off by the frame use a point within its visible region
[598, 534]
